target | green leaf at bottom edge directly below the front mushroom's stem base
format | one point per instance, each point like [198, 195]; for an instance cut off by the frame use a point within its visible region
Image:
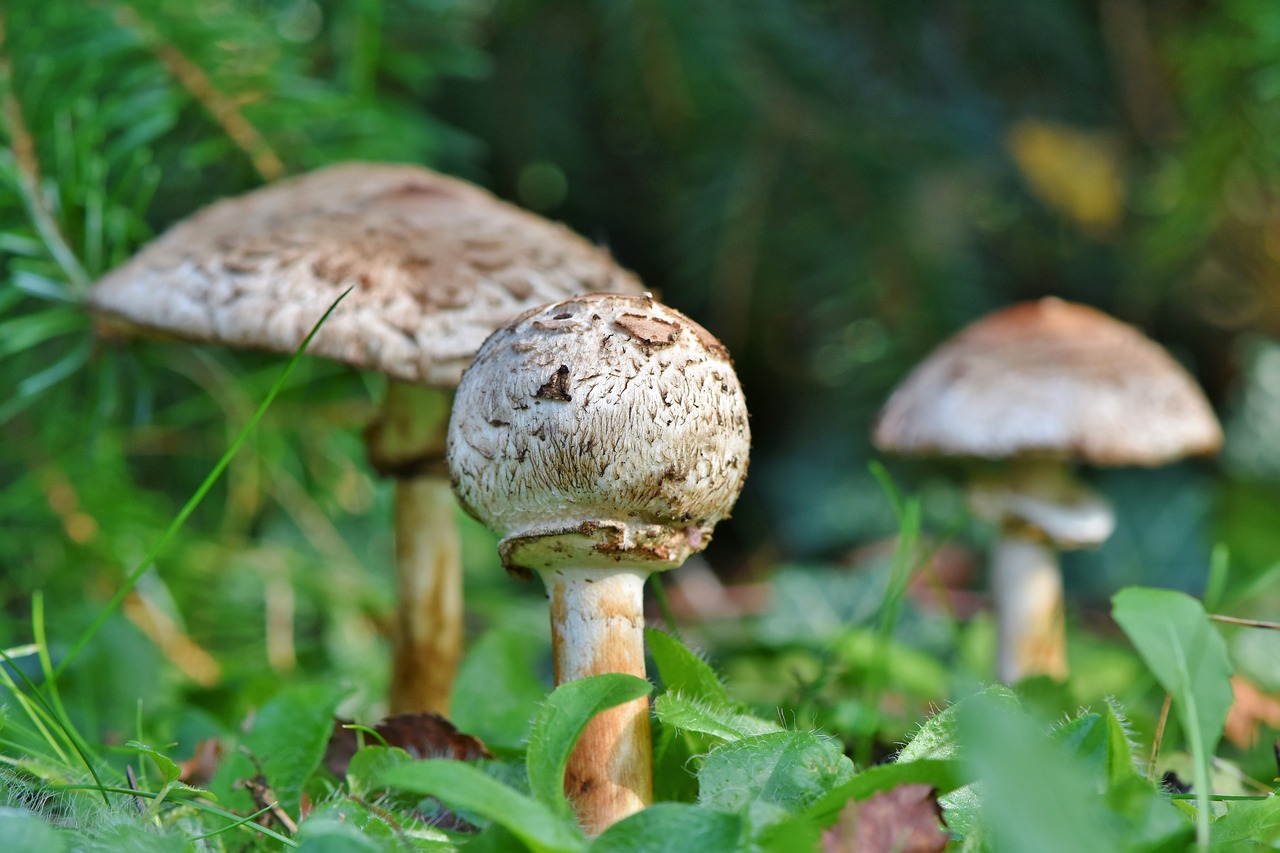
[674, 828]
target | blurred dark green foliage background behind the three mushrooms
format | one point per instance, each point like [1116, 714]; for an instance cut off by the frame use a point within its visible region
[831, 188]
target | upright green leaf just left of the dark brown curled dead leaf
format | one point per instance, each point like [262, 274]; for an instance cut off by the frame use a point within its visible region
[290, 737]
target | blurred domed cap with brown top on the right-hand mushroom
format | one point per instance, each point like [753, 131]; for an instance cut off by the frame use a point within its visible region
[1050, 378]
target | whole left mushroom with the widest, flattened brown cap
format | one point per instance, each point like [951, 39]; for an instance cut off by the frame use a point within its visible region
[435, 266]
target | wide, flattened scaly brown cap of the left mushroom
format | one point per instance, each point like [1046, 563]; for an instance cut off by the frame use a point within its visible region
[435, 266]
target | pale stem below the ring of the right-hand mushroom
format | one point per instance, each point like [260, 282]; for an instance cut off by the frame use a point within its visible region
[1028, 590]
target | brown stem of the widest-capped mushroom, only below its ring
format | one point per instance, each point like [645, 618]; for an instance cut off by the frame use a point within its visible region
[429, 606]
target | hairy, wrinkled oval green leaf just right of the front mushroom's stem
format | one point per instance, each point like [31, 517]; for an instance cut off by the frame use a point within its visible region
[774, 777]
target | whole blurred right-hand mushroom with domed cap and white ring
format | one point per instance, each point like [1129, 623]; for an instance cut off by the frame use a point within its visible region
[1040, 385]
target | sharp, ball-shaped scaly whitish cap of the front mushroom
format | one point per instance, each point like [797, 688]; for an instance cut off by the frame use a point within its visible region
[601, 430]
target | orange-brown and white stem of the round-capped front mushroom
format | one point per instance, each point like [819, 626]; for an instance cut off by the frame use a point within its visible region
[598, 627]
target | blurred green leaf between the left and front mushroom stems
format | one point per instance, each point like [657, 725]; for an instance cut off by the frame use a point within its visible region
[497, 692]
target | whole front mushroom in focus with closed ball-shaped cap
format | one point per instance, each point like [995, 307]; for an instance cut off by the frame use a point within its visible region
[602, 437]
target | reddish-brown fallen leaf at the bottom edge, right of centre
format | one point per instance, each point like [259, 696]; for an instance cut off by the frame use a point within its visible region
[902, 820]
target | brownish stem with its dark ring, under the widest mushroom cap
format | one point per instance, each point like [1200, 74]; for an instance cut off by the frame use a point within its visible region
[408, 441]
